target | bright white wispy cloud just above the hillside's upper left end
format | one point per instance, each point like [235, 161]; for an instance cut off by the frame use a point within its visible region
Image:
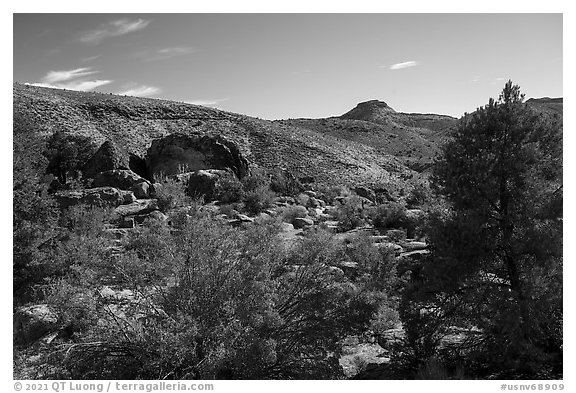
[71, 79]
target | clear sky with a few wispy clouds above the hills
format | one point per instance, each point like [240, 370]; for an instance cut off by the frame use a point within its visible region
[278, 66]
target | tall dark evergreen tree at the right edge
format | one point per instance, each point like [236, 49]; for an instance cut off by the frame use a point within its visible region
[496, 265]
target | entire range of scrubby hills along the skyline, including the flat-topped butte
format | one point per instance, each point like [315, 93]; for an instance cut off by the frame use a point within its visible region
[372, 144]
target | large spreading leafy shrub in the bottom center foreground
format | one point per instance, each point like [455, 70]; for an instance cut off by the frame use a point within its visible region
[219, 303]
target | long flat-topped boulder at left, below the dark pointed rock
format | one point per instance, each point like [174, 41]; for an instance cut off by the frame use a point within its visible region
[98, 197]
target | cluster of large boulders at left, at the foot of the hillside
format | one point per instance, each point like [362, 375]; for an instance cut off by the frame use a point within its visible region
[125, 182]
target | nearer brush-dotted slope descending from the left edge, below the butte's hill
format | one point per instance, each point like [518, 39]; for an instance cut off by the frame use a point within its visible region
[133, 123]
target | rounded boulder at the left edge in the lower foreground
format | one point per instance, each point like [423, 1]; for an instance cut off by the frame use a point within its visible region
[33, 322]
